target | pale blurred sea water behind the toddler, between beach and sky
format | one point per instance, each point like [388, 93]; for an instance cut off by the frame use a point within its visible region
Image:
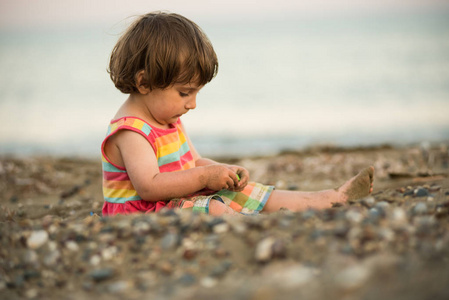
[282, 84]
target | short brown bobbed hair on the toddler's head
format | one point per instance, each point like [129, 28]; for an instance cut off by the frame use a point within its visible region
[168, 47]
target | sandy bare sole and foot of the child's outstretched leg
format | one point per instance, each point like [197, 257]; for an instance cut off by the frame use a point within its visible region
[359, 186]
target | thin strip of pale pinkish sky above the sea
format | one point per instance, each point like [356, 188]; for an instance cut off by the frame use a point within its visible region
[31, 13]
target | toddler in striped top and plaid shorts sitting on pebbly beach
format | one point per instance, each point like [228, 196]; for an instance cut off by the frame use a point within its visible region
[162, 61]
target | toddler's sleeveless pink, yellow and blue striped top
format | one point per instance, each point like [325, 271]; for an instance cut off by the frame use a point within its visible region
[172, 152]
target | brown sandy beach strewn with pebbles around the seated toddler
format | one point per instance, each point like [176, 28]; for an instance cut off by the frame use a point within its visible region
[391, 245]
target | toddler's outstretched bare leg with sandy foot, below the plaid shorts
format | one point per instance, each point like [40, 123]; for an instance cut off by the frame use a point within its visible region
[357, 187]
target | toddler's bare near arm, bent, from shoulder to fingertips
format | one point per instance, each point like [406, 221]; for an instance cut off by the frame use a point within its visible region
[141, 164]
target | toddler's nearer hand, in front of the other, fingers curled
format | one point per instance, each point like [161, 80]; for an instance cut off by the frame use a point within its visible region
[219, 177]
